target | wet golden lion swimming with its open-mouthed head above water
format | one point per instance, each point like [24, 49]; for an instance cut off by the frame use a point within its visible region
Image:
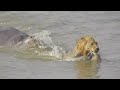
[85, 46]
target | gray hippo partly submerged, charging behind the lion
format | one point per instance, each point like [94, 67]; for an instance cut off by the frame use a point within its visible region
[10, 36]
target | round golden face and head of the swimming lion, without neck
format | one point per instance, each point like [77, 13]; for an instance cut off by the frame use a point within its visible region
[87, 46]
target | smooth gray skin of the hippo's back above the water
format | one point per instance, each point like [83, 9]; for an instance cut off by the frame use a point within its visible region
[10, 36]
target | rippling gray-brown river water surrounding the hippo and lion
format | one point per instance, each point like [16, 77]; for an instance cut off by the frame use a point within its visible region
[62, 29]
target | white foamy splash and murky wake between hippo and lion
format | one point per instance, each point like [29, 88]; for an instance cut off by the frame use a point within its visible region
[48, 49]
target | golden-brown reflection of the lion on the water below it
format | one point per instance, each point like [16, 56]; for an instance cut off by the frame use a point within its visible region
[87, 69]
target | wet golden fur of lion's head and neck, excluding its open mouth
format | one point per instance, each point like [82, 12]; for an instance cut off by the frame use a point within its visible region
[83, 46]
